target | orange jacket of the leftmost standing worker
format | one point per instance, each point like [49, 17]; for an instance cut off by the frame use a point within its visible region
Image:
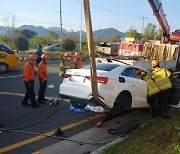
[28, 72]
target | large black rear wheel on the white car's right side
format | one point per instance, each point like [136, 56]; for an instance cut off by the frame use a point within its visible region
[123, 102]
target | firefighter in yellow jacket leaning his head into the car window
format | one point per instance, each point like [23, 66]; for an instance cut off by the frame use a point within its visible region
[152, 93]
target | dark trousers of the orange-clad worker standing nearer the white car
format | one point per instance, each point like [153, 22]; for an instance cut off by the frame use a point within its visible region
[42, 89]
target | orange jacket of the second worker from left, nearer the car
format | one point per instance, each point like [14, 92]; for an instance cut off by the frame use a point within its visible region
[42, 71]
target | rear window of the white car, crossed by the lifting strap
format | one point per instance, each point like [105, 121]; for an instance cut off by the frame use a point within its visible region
[104, 67]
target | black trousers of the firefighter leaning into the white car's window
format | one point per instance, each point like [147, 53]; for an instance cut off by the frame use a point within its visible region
[152, 102]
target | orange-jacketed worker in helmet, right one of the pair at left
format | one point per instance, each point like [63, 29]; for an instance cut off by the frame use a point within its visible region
[42, 76]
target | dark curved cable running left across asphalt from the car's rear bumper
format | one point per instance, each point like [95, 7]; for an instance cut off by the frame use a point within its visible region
[36, 123]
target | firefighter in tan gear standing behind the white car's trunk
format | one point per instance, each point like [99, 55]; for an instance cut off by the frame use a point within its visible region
[66, 63]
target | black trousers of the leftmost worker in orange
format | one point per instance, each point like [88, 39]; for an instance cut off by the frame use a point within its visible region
[29, 92]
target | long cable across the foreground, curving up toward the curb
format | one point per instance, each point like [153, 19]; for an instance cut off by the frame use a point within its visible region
[63, 138]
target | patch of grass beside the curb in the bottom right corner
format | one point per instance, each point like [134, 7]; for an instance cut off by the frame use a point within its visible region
[160, 136]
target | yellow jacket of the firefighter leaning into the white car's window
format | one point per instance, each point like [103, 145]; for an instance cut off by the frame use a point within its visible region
[151, 86]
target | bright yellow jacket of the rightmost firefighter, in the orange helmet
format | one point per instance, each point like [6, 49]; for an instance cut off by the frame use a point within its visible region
[161, 77]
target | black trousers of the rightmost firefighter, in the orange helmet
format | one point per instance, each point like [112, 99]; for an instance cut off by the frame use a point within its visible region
[163, 100]
